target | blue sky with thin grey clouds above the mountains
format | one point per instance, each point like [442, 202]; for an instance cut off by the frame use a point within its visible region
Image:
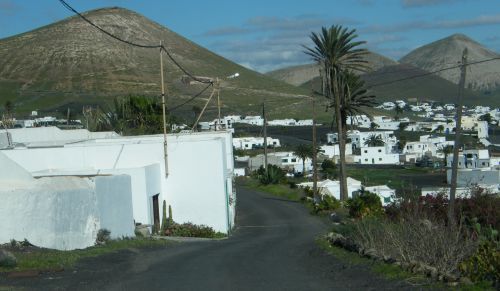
[265, 35]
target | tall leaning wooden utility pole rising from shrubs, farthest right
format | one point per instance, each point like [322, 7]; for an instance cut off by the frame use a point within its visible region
[458, 133]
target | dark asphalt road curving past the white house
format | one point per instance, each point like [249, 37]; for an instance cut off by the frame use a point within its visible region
[273, 248]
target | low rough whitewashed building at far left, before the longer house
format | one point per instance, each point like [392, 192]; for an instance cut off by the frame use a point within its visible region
[64, 212]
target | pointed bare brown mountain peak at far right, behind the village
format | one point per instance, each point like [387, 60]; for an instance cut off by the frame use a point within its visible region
[447, 52]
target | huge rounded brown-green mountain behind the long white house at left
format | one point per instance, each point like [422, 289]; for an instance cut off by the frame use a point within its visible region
[71, 62]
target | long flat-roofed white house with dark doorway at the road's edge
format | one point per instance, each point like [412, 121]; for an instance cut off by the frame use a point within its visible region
[198, 184]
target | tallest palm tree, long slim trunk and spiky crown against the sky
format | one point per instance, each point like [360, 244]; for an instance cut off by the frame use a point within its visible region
[337, 53]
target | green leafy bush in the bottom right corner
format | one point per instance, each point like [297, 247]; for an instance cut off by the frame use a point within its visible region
[484, 264]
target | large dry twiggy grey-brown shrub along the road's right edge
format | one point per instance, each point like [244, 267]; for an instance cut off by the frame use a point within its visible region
[415, 240]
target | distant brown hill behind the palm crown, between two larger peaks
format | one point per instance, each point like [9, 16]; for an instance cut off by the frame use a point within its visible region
[298, 75]
